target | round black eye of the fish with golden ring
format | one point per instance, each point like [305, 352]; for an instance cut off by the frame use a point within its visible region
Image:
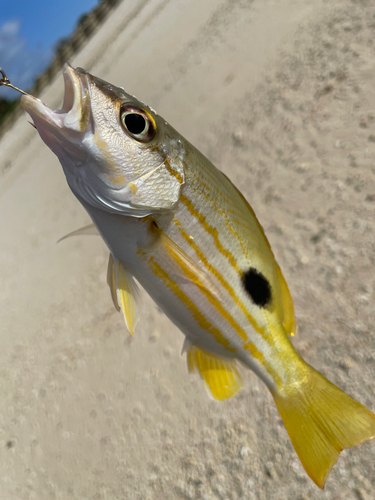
[137, 123]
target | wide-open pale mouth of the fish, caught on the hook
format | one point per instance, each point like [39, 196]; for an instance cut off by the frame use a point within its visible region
[74, 115]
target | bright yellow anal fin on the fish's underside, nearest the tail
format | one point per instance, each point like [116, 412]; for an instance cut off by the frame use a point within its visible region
[221, 376]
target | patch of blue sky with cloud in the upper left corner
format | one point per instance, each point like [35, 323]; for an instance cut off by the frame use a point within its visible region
[29, 30]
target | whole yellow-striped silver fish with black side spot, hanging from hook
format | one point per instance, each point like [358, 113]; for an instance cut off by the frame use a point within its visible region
[179, 227]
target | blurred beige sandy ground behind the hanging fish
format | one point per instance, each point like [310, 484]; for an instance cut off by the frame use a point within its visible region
[280, 94]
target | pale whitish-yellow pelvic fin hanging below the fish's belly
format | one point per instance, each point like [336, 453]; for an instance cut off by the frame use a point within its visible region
[123, 291]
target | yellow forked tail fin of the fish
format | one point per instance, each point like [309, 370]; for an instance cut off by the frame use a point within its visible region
[321, 421]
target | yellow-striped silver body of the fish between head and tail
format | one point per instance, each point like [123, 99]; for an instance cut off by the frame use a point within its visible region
[213, 238]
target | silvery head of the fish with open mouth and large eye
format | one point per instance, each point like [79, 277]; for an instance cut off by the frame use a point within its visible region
[117, 153]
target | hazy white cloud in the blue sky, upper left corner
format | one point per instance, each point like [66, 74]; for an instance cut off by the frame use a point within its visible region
[21, 63]
